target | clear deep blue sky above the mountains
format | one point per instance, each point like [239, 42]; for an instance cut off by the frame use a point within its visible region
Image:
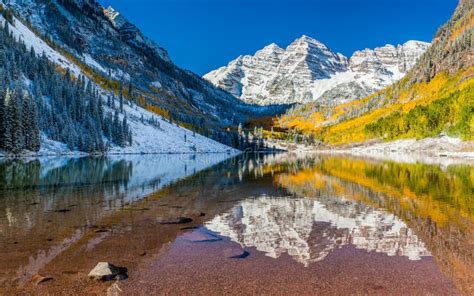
[202, 35]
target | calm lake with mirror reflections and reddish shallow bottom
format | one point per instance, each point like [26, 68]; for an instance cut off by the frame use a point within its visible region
[269, 224]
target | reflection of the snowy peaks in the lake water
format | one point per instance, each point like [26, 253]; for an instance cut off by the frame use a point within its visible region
[309, 229]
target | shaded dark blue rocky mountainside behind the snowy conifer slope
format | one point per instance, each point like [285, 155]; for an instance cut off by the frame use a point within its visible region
[114, 51]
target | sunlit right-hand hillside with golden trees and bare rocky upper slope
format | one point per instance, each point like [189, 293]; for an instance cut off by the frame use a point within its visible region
[436, 96]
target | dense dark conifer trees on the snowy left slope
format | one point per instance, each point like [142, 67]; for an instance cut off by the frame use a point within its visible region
[35, 95]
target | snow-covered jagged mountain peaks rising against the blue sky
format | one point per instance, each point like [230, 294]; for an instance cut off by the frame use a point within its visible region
[308, 70]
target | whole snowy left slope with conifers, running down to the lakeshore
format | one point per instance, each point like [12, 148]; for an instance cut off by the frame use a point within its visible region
[53, 105]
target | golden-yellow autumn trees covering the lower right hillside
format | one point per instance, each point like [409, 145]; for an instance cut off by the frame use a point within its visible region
[334, 129]
